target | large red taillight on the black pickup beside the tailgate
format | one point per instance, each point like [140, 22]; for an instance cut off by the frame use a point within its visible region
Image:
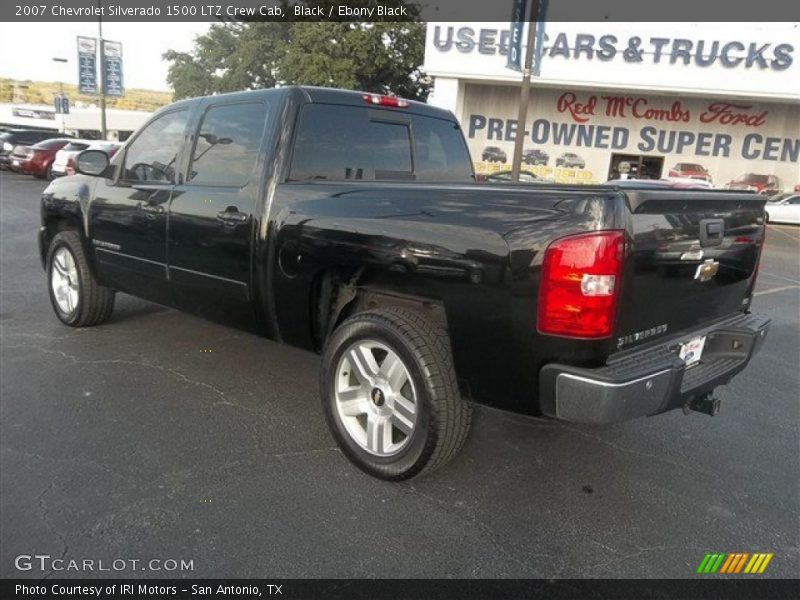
[581, 277]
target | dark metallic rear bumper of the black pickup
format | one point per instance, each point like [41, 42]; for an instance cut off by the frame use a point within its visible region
[652, 380]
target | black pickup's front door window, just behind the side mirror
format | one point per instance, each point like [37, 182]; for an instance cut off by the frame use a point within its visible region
[151, 157]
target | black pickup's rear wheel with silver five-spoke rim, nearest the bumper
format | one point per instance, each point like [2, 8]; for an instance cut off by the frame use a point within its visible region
[390, 395]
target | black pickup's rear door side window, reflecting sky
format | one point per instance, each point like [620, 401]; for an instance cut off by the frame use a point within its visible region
[227, 144]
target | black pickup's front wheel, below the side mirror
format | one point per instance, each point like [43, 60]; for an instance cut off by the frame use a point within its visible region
[77, 298]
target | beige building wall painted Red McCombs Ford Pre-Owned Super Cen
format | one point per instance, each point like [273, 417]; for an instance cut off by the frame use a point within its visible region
[726, 137]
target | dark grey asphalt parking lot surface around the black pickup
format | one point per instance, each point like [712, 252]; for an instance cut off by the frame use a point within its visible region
[159, 435]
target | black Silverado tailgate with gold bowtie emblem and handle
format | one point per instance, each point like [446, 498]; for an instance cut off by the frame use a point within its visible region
[693, 259]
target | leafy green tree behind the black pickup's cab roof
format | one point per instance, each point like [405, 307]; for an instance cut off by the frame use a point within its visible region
[380, 57]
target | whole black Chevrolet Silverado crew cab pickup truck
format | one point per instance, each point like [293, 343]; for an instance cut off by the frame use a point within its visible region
[351, 224]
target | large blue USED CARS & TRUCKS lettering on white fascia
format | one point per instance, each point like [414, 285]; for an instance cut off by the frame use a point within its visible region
[586, 46]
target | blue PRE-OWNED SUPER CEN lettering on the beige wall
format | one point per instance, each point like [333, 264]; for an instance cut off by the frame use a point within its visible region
[651, 139]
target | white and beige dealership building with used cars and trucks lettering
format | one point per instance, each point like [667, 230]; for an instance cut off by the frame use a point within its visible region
[609, 100]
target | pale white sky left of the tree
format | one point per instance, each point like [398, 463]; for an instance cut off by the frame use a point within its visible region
[35, 45]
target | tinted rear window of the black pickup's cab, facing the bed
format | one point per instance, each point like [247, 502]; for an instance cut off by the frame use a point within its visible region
[336, 143]
